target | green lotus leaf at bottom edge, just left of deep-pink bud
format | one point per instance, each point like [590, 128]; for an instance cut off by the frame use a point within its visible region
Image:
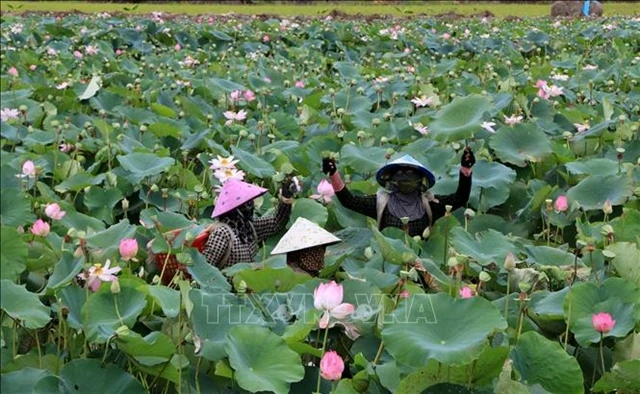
[262, 360]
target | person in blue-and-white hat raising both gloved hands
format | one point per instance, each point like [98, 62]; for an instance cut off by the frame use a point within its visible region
[406, 201]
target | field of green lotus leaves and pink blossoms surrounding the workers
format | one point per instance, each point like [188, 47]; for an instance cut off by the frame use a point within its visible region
[109, 128]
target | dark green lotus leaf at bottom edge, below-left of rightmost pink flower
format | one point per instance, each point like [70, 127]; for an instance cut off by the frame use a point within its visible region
[541, 361]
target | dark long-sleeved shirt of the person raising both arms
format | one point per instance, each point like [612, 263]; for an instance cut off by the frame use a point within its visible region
[366, 205]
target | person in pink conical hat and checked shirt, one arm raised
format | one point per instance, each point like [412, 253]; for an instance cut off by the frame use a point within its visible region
[236, 240]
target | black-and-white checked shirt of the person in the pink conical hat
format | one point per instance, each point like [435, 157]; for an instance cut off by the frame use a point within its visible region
[220, 239]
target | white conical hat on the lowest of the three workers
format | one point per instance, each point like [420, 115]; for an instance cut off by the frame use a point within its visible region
[302, 235]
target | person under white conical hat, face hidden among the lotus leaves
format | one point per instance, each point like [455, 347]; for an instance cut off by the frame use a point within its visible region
[305, 244]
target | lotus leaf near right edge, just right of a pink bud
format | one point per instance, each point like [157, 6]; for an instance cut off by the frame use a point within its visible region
[593, 191]
